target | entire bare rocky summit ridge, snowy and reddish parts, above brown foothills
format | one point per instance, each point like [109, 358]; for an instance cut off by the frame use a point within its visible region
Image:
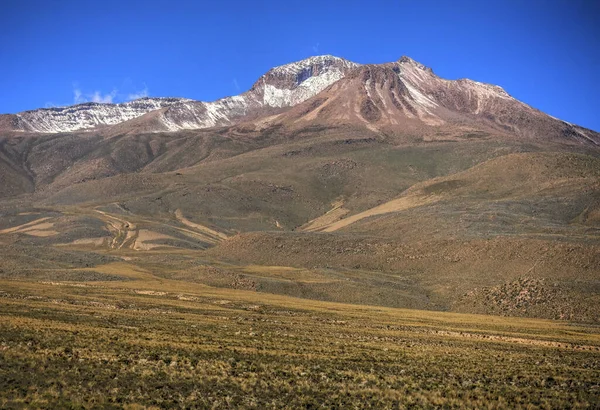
[324, 89]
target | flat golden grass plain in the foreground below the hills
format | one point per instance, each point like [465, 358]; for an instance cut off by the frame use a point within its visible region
[150, 342]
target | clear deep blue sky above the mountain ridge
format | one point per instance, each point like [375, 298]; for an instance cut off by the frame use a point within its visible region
[543, 52]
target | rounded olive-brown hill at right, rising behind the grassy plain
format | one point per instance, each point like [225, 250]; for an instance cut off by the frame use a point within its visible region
[526, 222]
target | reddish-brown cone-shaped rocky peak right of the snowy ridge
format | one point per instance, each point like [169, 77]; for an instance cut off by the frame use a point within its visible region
[406, 95]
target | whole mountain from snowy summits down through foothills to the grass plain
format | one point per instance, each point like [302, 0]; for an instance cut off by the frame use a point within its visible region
[377, 183]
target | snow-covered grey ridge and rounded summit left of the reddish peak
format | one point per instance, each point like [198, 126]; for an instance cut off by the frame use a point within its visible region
[282, 86]
